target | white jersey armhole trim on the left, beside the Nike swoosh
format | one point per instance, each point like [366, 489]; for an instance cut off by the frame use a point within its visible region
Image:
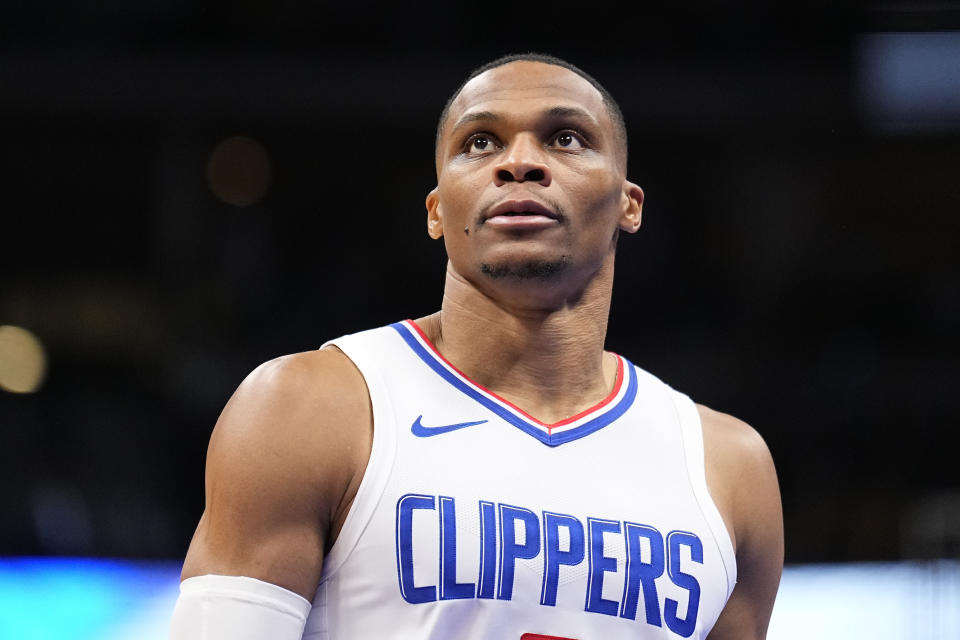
[378, 468]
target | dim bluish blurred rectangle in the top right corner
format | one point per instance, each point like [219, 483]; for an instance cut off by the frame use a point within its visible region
[911, 81]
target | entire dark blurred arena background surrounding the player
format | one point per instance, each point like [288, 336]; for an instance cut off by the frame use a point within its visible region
[190, 189]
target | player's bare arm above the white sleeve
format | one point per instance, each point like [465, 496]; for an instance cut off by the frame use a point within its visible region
[284, 462]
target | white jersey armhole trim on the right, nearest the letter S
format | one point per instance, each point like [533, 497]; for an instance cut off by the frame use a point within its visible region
[692, 433]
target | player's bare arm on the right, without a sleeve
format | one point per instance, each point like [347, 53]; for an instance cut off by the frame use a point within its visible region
[743, 482]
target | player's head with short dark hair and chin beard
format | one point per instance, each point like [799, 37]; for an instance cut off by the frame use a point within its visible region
[530, 178]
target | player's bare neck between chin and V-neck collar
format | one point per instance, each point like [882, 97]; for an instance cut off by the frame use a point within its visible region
[549, 362]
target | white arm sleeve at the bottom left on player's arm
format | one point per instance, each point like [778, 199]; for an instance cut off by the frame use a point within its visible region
[237, 608]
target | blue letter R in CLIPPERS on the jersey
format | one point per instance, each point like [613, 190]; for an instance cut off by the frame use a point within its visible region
[642, 574]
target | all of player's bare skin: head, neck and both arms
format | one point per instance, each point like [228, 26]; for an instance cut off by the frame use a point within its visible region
[530, 166]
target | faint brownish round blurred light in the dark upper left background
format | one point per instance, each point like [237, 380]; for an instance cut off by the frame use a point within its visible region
[238, 171]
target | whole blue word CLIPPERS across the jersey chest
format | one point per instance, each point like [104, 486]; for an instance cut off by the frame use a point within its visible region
[511, 533]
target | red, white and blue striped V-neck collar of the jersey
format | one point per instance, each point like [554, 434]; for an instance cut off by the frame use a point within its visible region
[584, 423]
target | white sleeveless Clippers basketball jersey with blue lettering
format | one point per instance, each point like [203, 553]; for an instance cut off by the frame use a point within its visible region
[474, 520]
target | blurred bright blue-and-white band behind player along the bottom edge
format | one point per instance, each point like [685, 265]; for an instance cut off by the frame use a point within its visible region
[83, 599]
